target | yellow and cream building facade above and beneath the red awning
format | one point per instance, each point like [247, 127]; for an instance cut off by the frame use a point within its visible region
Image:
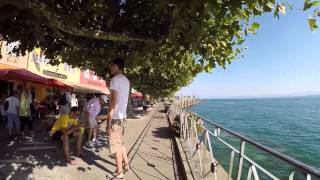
[37, 63]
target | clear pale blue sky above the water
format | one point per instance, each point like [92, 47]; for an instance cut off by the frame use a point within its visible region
[282, 59]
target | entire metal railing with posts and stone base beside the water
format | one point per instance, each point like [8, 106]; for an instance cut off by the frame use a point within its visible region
[198, 140]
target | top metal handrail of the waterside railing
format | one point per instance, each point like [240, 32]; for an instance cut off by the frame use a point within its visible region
[300, 165]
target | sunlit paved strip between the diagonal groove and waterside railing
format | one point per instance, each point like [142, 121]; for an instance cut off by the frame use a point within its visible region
[153, 156]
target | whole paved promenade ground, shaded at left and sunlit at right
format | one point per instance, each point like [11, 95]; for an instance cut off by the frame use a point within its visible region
[148, 140]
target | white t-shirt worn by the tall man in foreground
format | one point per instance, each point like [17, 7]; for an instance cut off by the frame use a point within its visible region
[121, 84]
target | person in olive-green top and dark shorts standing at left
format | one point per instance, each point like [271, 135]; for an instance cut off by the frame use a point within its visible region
[25, 112]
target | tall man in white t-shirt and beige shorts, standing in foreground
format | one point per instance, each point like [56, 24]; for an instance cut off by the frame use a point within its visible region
[119, 89]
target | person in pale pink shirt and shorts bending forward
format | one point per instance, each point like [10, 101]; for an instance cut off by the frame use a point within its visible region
[92, 110]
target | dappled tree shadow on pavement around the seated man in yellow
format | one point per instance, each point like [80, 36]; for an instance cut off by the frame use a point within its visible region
[19, 159]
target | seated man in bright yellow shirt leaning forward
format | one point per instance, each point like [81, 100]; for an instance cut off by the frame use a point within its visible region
[65, 127]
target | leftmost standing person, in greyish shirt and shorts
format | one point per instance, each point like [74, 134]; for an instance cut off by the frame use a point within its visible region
[12, 113]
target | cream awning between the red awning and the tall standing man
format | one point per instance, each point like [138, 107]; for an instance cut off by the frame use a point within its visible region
[87, 88]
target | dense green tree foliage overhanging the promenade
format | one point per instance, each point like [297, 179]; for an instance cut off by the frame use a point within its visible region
[166, 43]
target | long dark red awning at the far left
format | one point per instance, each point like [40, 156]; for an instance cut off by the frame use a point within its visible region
[25, 75]
